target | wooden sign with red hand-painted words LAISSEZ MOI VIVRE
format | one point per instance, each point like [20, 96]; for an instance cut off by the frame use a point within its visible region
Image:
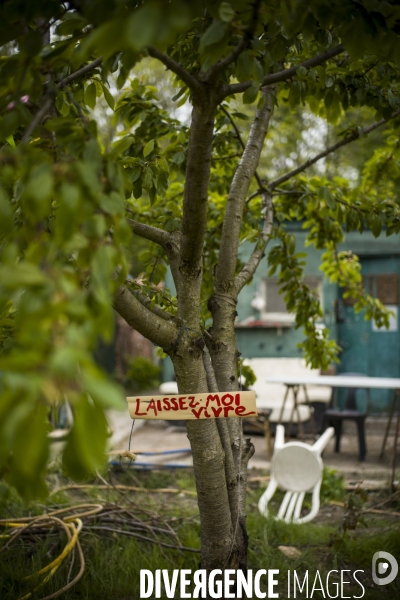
[196, 406]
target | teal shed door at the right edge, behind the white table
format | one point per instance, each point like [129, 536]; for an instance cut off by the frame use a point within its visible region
[365, 348]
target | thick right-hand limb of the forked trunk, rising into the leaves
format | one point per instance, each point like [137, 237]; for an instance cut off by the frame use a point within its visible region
[225, 270]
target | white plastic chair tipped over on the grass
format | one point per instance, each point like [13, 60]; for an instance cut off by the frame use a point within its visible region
[297, 469]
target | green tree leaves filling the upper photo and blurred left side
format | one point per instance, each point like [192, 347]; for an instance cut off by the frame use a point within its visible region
[71, 196]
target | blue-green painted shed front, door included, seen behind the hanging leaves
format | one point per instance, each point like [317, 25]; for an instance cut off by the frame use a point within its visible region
[364, 351]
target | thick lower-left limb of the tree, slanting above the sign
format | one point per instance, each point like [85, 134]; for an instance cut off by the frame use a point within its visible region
[150, 325]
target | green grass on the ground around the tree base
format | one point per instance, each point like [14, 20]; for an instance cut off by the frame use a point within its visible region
[113, 561]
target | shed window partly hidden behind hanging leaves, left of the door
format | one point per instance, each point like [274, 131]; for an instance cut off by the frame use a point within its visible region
[275, 307]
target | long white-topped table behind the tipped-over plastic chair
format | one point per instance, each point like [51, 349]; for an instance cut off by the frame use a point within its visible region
[294, 384]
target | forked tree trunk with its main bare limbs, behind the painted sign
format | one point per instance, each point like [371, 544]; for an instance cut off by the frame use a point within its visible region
[220, 451]
